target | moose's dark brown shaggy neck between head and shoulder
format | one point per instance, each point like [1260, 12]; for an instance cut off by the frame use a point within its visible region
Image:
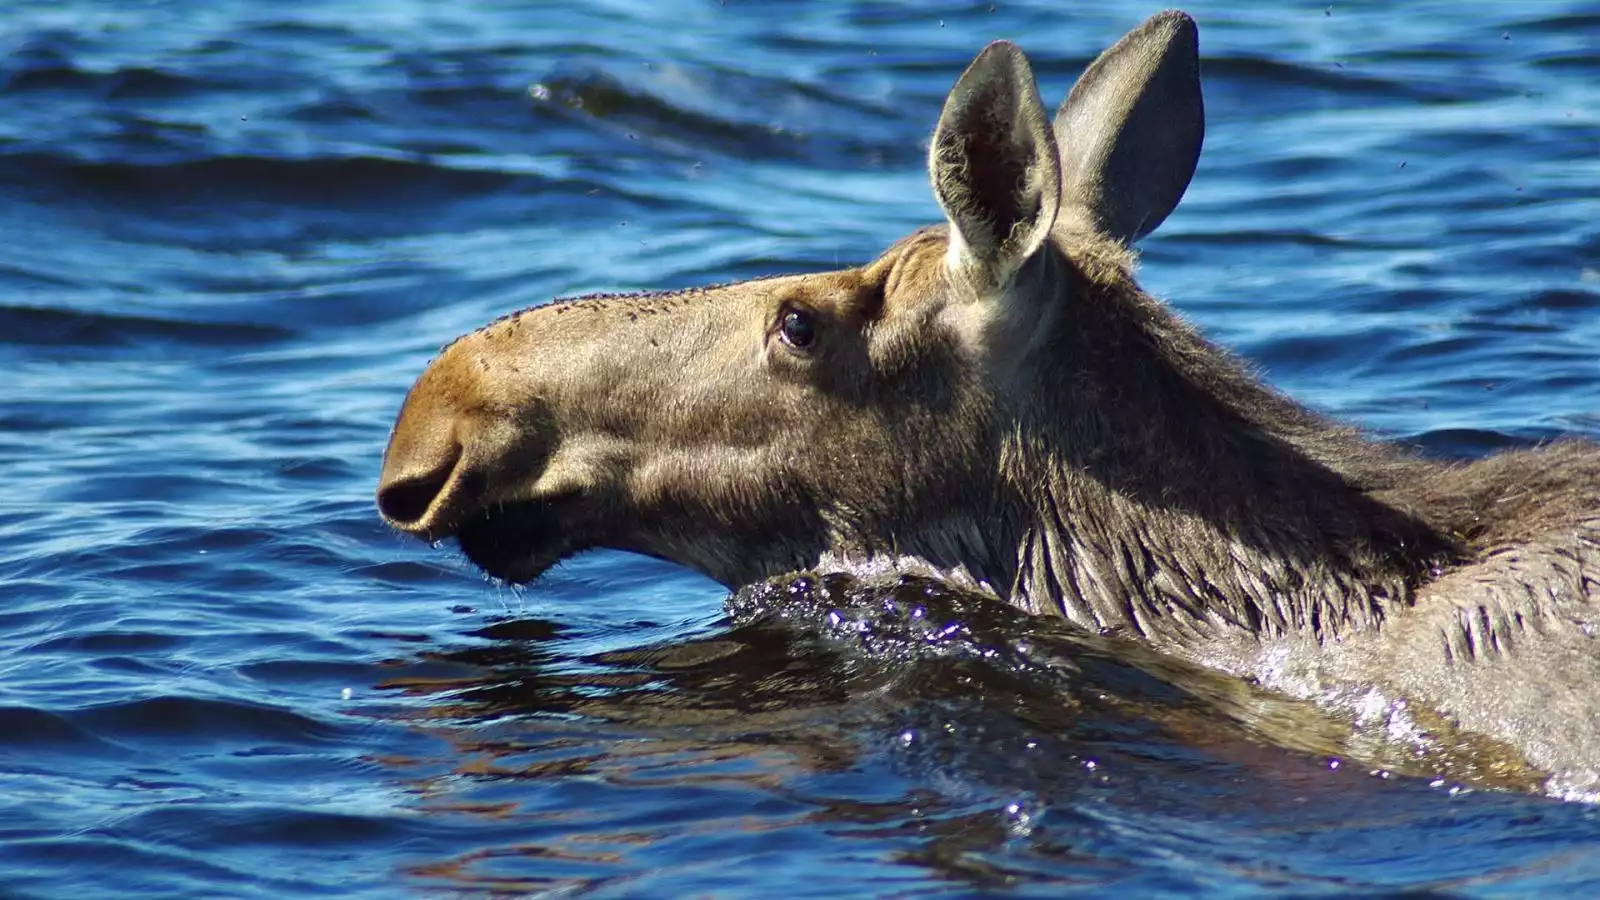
[1169, 492]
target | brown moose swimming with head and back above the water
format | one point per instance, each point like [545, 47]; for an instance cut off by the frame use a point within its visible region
[999, 401]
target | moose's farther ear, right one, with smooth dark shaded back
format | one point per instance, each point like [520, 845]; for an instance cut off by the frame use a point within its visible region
[1130, 132]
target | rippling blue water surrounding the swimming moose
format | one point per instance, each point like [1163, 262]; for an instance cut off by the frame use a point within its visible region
[233, 233]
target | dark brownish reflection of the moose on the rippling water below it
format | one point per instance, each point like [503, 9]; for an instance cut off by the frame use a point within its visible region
[911, 723]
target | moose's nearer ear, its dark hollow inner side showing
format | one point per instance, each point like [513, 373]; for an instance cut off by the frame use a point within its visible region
[994, 166]
